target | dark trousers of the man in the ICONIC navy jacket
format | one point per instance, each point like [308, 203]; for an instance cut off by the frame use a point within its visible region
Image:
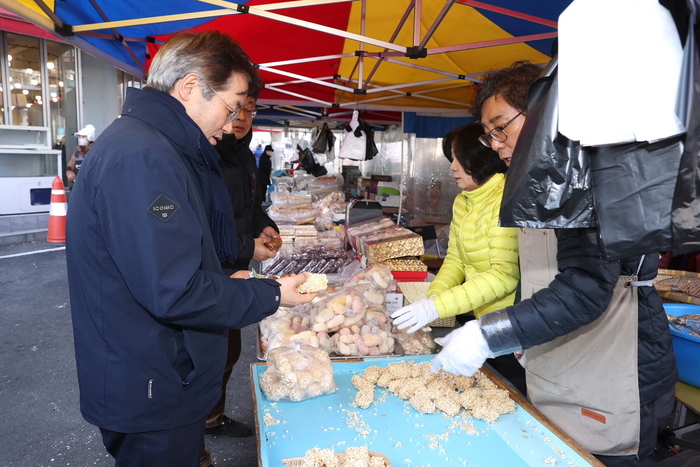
[180, 446]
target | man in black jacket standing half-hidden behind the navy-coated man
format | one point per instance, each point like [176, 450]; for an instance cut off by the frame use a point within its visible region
[253, 229]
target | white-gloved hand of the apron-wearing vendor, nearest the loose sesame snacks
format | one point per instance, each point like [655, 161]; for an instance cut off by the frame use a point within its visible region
[464, 350]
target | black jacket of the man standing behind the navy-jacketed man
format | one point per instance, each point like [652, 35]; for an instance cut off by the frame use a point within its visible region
[240, 175]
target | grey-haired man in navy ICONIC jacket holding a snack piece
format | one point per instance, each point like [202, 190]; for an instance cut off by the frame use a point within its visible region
[150, 225]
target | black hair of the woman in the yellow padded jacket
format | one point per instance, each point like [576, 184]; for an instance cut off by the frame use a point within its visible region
[478, 161]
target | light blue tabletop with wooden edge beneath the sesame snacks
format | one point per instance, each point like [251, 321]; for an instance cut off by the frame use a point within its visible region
[390, 427]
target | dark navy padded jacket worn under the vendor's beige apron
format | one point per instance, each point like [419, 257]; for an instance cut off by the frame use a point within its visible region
[581, 292]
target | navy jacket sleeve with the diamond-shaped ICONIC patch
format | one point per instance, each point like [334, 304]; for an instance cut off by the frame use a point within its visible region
[161, 261]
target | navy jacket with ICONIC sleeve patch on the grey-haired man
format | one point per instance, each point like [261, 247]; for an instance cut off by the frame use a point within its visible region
[150, 304]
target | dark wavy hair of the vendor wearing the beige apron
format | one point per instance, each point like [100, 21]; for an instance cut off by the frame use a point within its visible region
[511, 84]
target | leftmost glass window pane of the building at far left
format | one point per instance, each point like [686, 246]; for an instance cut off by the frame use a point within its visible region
[25, 80]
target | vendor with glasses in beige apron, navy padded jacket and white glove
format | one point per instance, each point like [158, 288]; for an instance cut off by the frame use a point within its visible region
[599, 359]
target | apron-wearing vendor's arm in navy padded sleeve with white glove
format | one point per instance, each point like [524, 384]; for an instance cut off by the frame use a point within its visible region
[577, 296]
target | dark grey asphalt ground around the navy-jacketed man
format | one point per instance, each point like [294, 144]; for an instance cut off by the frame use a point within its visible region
[41, 424]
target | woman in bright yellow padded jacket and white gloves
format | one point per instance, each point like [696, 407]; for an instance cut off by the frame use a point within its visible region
[480, 272]
